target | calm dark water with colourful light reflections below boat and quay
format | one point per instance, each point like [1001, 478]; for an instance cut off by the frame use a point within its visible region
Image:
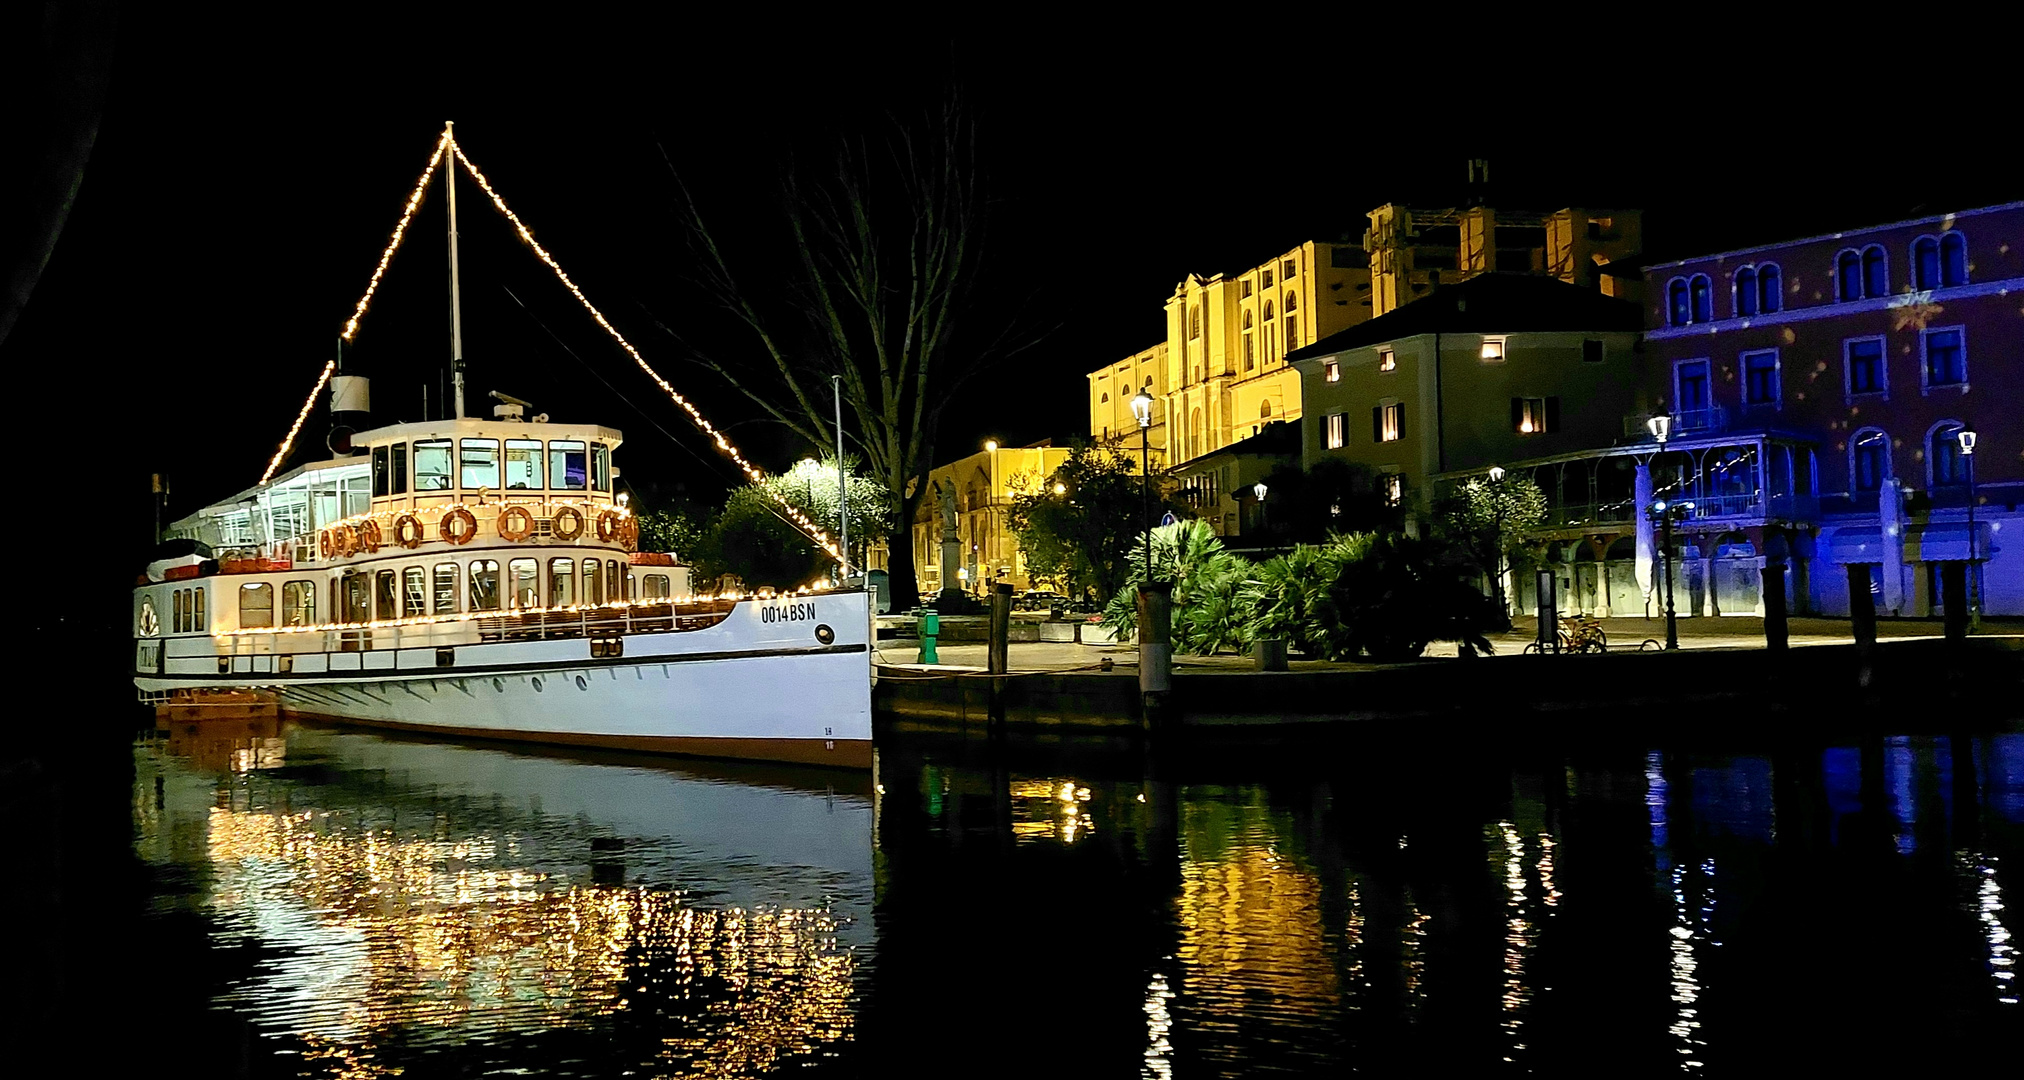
[349, 905]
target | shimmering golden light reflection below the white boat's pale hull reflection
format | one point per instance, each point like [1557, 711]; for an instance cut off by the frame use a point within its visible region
[394, 933]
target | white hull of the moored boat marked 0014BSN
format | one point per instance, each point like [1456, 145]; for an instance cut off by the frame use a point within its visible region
[736, 691]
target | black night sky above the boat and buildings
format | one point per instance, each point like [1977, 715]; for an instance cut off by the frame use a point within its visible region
[248, 175]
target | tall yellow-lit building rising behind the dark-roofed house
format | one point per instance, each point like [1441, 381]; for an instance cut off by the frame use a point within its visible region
[1221, 373]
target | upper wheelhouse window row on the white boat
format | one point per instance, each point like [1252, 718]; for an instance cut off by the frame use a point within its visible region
[497, 464]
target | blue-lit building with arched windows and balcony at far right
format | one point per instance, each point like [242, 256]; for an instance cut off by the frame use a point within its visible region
[1815, 397]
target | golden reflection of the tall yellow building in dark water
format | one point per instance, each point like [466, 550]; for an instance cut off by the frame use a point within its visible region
[1252, 917]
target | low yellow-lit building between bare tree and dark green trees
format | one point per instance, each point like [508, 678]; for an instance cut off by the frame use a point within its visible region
[985, 486]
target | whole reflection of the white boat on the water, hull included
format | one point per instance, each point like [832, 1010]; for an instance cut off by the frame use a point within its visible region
[414, 897]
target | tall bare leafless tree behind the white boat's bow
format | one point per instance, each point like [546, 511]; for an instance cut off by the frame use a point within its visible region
[888, 256]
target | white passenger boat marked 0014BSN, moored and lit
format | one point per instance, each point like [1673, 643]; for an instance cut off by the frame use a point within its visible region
[481, 577]
